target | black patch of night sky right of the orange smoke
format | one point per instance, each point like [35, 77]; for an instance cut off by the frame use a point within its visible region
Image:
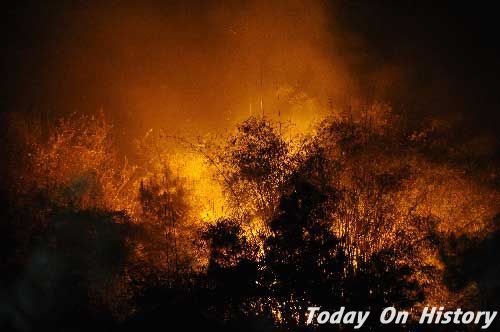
[447, 50]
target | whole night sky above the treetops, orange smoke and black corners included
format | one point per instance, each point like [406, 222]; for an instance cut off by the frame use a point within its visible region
[195, 62]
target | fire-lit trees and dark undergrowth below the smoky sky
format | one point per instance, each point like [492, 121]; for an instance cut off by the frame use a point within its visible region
[366, 211]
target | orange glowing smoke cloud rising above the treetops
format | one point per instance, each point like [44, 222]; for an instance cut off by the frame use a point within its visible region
[197, 65]
